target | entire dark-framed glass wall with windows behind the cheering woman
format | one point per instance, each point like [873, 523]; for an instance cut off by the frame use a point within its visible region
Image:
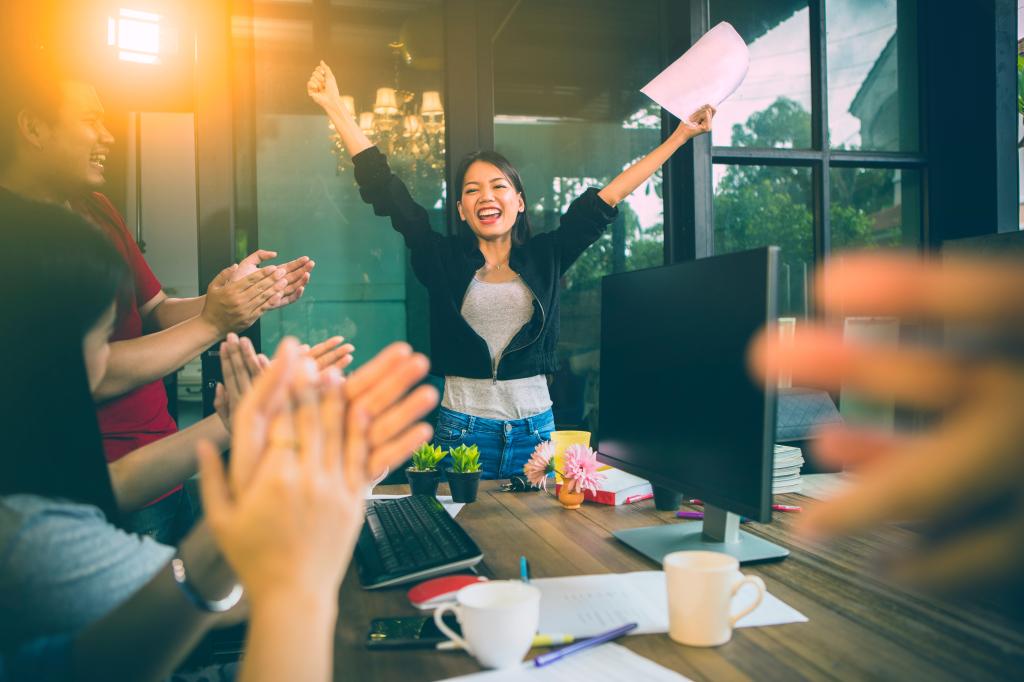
[820, 150]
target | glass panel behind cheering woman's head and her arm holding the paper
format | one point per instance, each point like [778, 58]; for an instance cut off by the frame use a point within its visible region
[570, 115]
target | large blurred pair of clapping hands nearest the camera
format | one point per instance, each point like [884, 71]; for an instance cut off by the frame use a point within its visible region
[290, 523]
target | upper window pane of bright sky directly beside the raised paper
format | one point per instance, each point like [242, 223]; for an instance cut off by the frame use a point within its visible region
[773, 107]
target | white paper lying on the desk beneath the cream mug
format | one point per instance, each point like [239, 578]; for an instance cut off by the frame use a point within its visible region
[588, 606]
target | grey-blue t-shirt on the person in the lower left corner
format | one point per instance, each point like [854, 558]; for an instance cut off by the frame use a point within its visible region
[64, 566]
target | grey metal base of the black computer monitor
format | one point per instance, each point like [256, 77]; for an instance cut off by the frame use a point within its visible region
[718, 533]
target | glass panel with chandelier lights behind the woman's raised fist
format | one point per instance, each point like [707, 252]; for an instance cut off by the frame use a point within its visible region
[307, 202]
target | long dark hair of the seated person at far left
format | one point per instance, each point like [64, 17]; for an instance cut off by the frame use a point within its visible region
[62, 275]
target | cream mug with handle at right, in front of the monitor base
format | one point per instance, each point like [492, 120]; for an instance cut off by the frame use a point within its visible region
[702, 587]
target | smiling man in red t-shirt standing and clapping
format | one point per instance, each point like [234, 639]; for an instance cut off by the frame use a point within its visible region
[53, 148]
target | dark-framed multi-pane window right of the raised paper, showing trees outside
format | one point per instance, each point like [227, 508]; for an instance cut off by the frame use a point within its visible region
[852, 182]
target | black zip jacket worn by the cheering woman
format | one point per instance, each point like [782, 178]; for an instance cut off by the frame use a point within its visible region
[446, 266]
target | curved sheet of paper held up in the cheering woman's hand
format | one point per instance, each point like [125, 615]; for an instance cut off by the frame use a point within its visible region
[706, 74]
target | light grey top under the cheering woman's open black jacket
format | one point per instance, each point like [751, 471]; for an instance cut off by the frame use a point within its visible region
[497, 313]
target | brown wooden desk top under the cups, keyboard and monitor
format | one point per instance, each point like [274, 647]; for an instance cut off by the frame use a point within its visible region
[861, 628]
